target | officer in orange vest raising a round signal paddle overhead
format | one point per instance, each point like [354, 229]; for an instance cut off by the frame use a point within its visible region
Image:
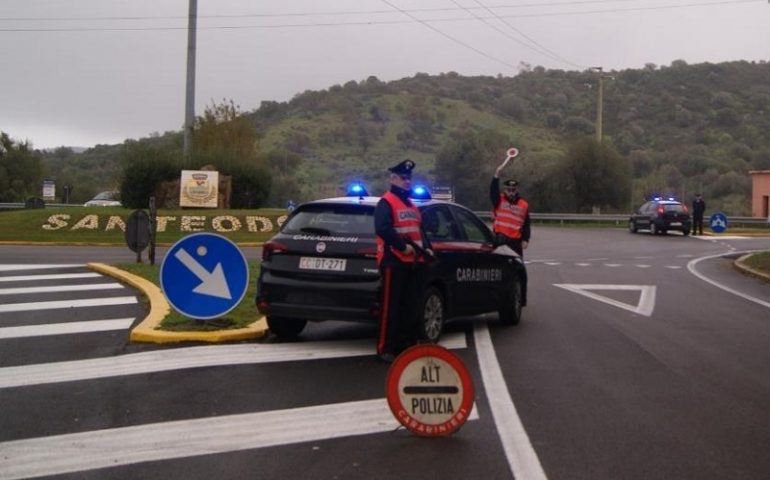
[510, 213]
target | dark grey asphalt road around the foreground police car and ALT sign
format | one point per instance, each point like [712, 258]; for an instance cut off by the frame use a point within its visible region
[638, 357]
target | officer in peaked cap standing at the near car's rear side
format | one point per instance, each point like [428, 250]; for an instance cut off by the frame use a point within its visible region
[400, 239]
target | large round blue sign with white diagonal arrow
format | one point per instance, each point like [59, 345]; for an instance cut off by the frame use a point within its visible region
[204, 276]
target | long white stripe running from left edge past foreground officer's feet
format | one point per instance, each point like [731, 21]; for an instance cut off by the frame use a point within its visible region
[193, 357]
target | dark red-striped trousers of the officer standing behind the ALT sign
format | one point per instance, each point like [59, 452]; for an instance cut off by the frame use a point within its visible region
[398, 319]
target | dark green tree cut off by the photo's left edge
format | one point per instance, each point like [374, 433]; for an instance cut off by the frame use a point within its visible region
[21, 170]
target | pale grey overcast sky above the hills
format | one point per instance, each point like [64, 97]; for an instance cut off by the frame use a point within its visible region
[86, 72]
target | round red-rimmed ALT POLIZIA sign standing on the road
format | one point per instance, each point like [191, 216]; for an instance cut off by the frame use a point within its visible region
[430, 391]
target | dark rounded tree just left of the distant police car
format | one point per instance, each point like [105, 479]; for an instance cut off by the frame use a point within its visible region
[598, 175]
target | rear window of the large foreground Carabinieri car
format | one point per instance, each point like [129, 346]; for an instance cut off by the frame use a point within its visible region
[332, 220]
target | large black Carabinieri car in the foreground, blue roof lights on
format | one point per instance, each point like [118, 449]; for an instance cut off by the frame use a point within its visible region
[322, 266]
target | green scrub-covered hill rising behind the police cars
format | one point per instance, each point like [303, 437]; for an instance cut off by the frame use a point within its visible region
[683, 128]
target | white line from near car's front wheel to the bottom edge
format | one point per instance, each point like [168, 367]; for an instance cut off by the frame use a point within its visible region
[521, 456]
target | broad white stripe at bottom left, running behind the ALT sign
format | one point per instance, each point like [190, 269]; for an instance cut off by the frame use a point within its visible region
[82, 451]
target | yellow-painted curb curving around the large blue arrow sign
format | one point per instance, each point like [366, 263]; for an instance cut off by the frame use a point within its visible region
[147, 331]
